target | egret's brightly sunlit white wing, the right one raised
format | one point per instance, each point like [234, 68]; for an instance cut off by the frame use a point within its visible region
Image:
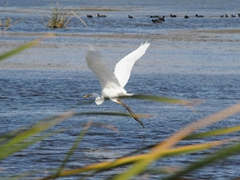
[124, 67]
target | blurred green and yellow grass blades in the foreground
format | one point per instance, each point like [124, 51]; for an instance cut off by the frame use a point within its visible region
[139, 161]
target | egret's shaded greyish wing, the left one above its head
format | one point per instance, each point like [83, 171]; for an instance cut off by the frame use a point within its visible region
[104, 74]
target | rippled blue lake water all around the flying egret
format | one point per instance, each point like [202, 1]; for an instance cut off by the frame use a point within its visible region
[195, 58]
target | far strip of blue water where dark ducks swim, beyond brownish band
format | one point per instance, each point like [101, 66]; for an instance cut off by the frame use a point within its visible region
[33, 13]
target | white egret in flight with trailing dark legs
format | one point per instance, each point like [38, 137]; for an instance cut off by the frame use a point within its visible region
[113, 83]
